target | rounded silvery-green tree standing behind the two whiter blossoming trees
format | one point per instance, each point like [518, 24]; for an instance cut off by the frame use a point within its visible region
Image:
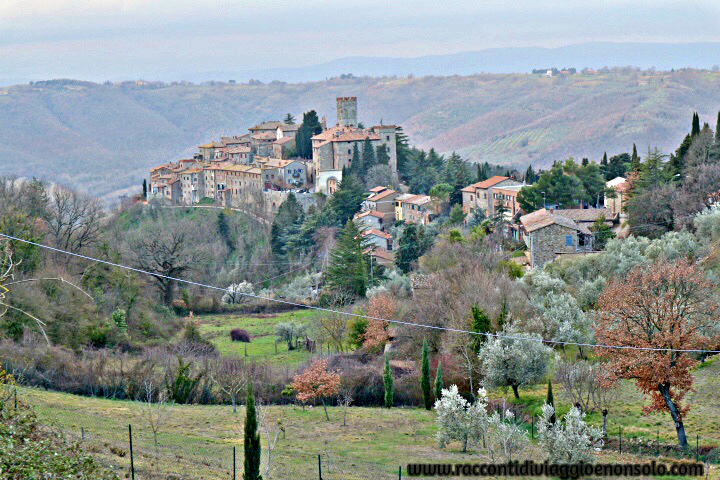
[514, 360]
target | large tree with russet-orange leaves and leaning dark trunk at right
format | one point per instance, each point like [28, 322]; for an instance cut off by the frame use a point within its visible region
[668, 307]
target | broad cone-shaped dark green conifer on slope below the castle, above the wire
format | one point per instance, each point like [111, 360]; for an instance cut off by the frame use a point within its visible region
[348, 268]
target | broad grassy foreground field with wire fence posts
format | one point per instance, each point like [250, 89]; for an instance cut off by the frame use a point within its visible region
[196, 441]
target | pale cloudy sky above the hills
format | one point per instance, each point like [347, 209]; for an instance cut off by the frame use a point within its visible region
[186, 39]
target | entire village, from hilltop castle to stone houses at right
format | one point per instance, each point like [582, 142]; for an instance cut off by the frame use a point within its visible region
[257, 171]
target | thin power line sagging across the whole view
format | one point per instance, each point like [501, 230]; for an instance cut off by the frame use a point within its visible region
[350, 314]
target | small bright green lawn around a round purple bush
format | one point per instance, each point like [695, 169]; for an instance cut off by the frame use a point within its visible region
[261, 328]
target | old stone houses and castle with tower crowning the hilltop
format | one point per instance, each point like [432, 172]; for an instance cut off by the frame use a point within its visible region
[261, 168]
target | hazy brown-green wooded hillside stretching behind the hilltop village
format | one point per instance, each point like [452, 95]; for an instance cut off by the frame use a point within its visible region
[104, 138]
